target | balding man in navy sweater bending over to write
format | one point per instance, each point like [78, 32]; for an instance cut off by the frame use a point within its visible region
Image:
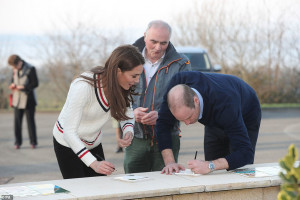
[227, 107]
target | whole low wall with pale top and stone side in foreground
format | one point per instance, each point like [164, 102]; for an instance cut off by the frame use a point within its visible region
[217, 185]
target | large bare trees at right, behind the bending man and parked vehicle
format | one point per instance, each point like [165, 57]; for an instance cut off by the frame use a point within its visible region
[247, 42]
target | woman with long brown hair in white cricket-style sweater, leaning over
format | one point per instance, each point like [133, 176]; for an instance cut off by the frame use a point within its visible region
[93, 98]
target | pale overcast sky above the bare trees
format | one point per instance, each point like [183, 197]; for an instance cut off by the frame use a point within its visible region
[37, 17]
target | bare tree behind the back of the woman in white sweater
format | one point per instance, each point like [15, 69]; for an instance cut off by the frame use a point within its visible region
[66, 54]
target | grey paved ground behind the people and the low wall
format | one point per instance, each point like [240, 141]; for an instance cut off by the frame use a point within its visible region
[279, 128]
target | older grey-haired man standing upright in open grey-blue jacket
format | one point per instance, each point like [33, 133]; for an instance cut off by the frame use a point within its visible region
[162, 62]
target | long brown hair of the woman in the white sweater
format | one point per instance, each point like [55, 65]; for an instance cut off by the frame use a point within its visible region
[125, 57]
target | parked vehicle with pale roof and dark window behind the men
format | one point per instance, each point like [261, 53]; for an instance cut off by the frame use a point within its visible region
[199, 59]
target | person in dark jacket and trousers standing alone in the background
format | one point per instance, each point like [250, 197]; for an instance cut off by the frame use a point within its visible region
[23, 83]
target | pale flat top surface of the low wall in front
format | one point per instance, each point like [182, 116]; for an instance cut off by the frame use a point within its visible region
[107, 187]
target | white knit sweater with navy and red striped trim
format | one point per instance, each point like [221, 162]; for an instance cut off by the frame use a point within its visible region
[80, 121]
